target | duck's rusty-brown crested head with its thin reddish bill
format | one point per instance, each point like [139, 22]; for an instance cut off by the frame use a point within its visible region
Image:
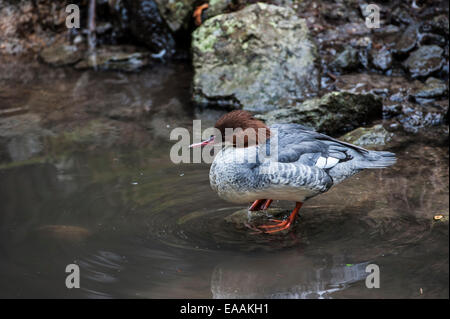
[240, 129]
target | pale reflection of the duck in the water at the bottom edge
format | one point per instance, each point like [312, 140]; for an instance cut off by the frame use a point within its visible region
[284, 276]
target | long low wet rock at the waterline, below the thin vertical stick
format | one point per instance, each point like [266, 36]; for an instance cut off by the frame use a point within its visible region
[112, 57]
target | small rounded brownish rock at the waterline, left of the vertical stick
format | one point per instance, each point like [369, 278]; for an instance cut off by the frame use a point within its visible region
[60, 54]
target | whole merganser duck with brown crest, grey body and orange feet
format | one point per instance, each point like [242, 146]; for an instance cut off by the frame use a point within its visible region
[304, 164]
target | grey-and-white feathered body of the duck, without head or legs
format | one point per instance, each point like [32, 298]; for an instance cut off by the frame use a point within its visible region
[295, 164]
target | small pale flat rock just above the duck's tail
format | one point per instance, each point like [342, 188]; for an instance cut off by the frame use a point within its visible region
[368, 137]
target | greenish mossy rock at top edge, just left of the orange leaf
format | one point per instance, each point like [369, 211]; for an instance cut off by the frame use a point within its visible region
[176, 13]
